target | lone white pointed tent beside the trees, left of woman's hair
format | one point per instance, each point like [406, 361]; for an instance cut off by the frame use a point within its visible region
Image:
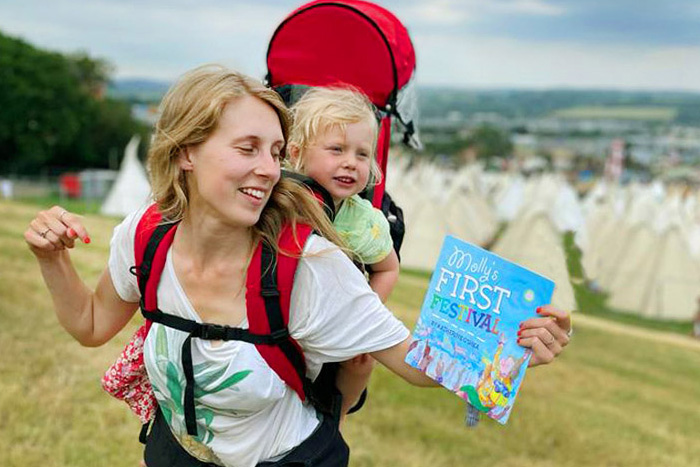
[131, 189]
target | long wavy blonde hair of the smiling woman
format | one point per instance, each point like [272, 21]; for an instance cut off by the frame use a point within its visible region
[189, 114]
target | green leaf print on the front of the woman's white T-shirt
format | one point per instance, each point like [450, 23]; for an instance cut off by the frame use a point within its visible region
[205, 375]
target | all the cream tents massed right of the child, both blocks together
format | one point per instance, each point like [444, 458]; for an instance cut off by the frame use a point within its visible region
[640, 244]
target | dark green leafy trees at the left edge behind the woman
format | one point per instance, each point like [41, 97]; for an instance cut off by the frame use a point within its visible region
[52, 113]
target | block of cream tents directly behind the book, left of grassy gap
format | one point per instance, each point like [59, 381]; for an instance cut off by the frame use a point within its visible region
[513, 217]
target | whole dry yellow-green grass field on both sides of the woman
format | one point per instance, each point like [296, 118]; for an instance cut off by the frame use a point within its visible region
[611, 400]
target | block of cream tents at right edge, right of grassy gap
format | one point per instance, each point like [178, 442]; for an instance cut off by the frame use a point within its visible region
[641, 245]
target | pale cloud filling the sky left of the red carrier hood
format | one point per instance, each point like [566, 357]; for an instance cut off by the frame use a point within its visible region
[155, 39]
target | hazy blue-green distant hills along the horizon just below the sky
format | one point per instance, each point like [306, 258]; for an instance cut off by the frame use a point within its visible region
[682, 108]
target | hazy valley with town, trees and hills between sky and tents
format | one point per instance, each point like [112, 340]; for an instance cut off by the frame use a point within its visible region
[562, 130]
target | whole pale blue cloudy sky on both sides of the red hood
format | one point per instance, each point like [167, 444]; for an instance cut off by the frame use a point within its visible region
[540, 44]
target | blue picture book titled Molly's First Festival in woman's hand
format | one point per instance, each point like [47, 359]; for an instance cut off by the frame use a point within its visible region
[466, 334]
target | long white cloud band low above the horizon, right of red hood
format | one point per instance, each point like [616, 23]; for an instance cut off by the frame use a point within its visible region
[493, 63]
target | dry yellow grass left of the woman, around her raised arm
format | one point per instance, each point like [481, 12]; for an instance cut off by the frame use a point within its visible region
[52, 409]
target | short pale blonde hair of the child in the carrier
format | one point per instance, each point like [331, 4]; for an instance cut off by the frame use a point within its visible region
[321, 109]
